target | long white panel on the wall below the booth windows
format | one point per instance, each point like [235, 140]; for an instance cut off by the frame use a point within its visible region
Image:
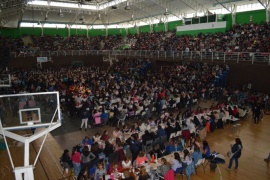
[212, 25]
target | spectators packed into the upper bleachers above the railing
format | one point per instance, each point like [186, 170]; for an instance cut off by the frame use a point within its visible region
[241, 38]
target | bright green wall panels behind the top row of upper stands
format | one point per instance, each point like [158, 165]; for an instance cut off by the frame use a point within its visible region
[241, 17]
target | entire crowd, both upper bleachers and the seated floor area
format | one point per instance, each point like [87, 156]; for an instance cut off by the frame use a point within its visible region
[130, 88]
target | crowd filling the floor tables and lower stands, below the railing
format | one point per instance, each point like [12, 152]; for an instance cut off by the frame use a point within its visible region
[131, 88]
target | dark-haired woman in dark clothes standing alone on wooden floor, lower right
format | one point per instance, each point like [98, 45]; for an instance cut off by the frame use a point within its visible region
[236, 149]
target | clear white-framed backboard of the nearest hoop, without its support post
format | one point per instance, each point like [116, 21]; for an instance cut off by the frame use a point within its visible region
[37, 108]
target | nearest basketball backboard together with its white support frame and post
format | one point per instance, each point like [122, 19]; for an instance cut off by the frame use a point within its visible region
[24, 112]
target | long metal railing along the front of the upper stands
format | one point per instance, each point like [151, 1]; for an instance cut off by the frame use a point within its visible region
[177, 55]
